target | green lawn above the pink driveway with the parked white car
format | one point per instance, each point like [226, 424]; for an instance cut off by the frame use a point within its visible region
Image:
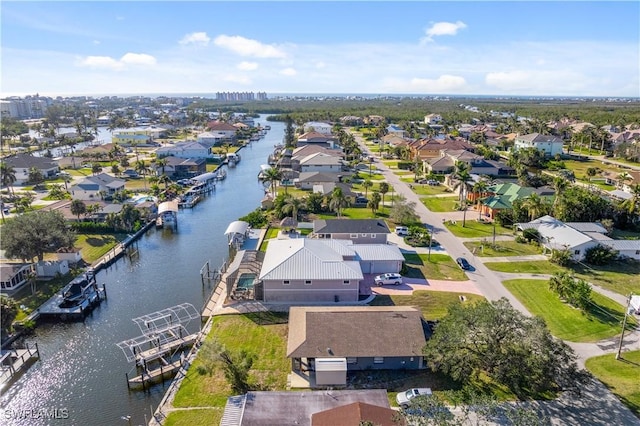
[438, 267]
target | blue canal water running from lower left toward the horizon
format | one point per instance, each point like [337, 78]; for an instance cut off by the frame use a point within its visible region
[81, 373]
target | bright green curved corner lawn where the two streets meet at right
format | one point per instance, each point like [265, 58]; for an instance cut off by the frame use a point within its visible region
[565, 322]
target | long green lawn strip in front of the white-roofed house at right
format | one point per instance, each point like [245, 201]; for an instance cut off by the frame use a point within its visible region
[621, 277]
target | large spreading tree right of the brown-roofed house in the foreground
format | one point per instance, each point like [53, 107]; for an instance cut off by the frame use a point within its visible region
[512, 349]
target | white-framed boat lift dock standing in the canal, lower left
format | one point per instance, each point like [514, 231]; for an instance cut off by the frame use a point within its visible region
[164, 334]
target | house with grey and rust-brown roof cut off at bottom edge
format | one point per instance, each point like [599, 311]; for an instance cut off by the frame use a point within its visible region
[312, 408]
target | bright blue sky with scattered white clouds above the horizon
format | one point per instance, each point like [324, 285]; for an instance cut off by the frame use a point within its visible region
[374, 47]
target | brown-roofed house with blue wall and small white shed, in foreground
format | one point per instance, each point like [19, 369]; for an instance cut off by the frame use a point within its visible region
[319, 334]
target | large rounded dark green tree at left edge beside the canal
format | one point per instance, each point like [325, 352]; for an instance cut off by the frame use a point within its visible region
[34, 234]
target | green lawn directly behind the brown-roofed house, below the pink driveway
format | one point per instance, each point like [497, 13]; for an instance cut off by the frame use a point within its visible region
[433, 304]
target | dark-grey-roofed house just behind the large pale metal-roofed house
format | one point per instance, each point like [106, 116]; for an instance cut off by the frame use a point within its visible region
[360, 231]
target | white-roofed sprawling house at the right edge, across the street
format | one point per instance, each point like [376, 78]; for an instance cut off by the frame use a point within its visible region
[578, 237]
